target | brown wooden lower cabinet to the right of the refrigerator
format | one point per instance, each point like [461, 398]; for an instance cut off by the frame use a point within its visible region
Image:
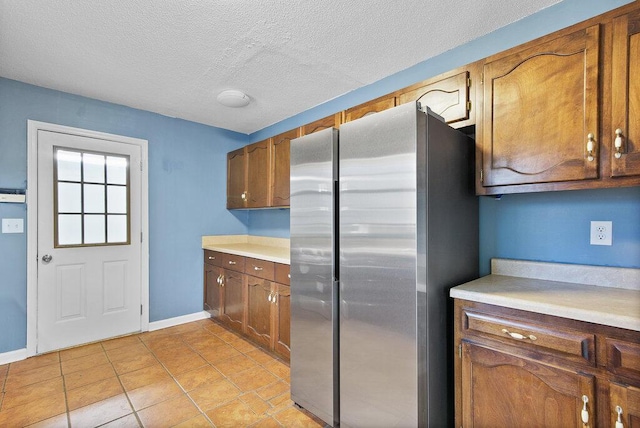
[519, 368]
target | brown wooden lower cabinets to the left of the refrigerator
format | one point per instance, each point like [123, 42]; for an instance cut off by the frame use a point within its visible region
[250, 296]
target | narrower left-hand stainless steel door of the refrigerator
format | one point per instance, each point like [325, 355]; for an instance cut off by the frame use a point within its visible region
[313, 174]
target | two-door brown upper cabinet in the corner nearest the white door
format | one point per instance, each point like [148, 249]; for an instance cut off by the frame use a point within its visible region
[249, 176]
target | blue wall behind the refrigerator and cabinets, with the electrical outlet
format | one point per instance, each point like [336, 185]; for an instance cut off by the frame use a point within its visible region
[551, 226]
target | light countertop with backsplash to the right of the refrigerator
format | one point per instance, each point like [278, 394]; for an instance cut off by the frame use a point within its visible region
[601, 295]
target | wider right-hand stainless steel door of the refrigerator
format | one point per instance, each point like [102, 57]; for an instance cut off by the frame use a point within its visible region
[378, 262]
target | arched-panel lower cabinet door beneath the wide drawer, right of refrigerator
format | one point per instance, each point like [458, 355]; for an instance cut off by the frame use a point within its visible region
[501, 390]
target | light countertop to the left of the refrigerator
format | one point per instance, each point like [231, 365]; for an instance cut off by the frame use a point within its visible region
[258, 247]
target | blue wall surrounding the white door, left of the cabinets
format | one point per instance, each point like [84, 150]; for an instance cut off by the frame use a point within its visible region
[187, 194]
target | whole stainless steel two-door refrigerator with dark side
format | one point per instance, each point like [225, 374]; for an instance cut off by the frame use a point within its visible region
[384, 221]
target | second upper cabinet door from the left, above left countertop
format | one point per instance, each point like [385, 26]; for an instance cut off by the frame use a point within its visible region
[258, 174]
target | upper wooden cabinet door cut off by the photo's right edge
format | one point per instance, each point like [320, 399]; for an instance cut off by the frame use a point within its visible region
[625, 87]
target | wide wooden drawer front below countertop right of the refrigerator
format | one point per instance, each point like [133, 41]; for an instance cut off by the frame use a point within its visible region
[549, 339]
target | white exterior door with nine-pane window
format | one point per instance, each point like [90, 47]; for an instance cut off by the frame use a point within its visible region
[89, 239]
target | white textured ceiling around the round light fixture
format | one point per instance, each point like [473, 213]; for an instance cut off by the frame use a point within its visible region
[174, 56]
